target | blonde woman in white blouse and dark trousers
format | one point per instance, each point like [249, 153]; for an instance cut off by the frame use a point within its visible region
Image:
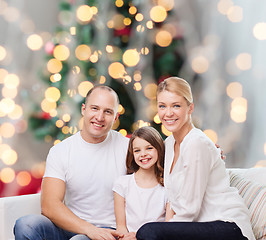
[203, 204]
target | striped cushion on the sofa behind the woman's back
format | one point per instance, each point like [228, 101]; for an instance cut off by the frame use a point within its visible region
[254, 195]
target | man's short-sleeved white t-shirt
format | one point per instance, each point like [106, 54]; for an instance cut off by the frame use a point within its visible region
[89, 171]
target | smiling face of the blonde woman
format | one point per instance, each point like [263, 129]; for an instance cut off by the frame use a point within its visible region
[173, 110]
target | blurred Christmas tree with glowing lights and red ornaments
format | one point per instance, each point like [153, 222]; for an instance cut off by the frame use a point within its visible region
[127, 45]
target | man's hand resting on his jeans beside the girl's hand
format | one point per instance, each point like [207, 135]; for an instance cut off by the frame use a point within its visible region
[96, 233]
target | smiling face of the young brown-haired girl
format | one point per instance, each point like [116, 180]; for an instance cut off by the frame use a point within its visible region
[145, 155]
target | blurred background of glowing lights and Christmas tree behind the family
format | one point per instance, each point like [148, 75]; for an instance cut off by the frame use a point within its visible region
[53, 52]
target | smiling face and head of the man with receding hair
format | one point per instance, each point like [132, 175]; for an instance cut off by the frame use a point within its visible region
[99, 112]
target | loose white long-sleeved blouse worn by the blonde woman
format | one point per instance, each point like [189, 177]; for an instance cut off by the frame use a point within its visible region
[198, 187]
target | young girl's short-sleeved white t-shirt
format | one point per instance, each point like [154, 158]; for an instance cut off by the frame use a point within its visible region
[142, 205]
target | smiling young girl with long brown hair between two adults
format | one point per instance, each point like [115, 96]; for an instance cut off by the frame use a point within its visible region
[140, 196]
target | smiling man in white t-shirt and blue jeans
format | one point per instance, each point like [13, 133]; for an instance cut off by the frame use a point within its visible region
[77, 197]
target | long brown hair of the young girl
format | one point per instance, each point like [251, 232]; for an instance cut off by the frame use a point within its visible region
[152, 136]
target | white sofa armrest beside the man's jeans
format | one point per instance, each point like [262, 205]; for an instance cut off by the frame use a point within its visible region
[12, 208]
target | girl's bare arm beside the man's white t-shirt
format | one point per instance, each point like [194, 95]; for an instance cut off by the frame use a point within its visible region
[120, 213]
